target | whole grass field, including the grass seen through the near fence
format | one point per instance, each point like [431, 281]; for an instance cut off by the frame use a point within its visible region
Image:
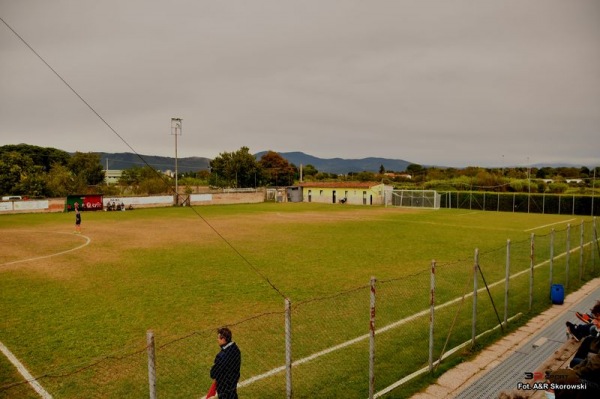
[210, 268]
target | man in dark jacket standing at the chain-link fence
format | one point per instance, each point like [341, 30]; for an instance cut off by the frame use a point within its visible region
[226, 369]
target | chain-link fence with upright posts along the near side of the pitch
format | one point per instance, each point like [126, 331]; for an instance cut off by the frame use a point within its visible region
[360, 343]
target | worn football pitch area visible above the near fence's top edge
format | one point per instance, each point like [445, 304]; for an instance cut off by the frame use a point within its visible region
[67, 298]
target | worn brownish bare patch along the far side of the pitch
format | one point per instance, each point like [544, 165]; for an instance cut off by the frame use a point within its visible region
[48, 251]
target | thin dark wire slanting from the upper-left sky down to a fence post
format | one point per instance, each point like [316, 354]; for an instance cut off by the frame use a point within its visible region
[229, 244]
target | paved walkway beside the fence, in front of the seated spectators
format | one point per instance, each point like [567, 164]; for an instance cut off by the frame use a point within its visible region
[502, 365]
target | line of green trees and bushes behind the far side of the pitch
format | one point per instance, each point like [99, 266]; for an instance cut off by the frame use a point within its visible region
[34, 171]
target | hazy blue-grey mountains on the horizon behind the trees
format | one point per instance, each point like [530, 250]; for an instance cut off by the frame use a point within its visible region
[119, 161]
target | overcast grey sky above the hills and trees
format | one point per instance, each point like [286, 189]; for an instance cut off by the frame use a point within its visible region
[436, 82]
